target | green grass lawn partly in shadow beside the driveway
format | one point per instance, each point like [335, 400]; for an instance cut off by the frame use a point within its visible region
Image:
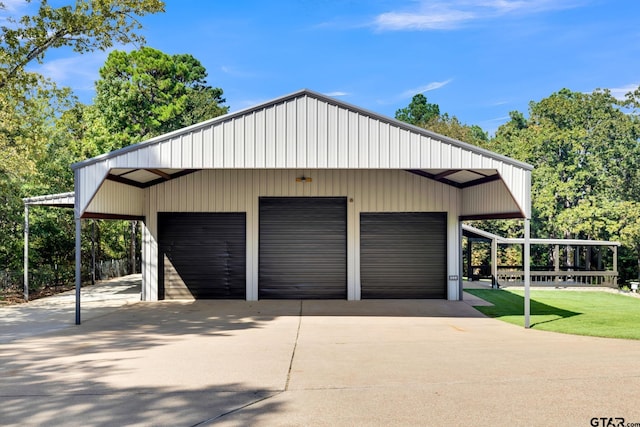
[599, 314]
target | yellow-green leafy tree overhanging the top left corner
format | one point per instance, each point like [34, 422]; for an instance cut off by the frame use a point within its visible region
[30, 102]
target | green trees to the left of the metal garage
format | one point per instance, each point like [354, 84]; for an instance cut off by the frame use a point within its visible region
[44, 128]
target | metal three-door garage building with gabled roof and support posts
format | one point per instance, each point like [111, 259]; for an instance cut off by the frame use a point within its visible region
[301, 197]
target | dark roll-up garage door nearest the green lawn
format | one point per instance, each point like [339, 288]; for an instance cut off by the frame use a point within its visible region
[403, 255]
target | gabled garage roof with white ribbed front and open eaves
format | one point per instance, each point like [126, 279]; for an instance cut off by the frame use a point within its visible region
[307, 130]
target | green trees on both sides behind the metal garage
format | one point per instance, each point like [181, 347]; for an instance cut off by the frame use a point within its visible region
[586, 181]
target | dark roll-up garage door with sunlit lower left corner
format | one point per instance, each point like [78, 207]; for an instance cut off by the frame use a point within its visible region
[202, 255]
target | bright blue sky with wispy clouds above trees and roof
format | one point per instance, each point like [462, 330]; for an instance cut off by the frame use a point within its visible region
[477, 59]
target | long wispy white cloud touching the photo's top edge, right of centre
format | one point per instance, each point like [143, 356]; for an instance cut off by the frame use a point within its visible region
[453, 14]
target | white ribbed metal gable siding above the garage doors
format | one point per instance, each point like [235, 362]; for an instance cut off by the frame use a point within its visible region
[300, 132]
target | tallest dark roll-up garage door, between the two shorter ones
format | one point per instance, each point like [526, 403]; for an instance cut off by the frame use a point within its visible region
[303, 248]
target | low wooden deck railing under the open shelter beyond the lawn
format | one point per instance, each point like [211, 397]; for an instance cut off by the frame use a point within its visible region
[559, 278]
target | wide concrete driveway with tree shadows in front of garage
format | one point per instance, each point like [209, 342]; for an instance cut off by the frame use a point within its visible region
[290, 363]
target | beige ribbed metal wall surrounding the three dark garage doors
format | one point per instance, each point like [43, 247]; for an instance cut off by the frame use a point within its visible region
[239, 190]
